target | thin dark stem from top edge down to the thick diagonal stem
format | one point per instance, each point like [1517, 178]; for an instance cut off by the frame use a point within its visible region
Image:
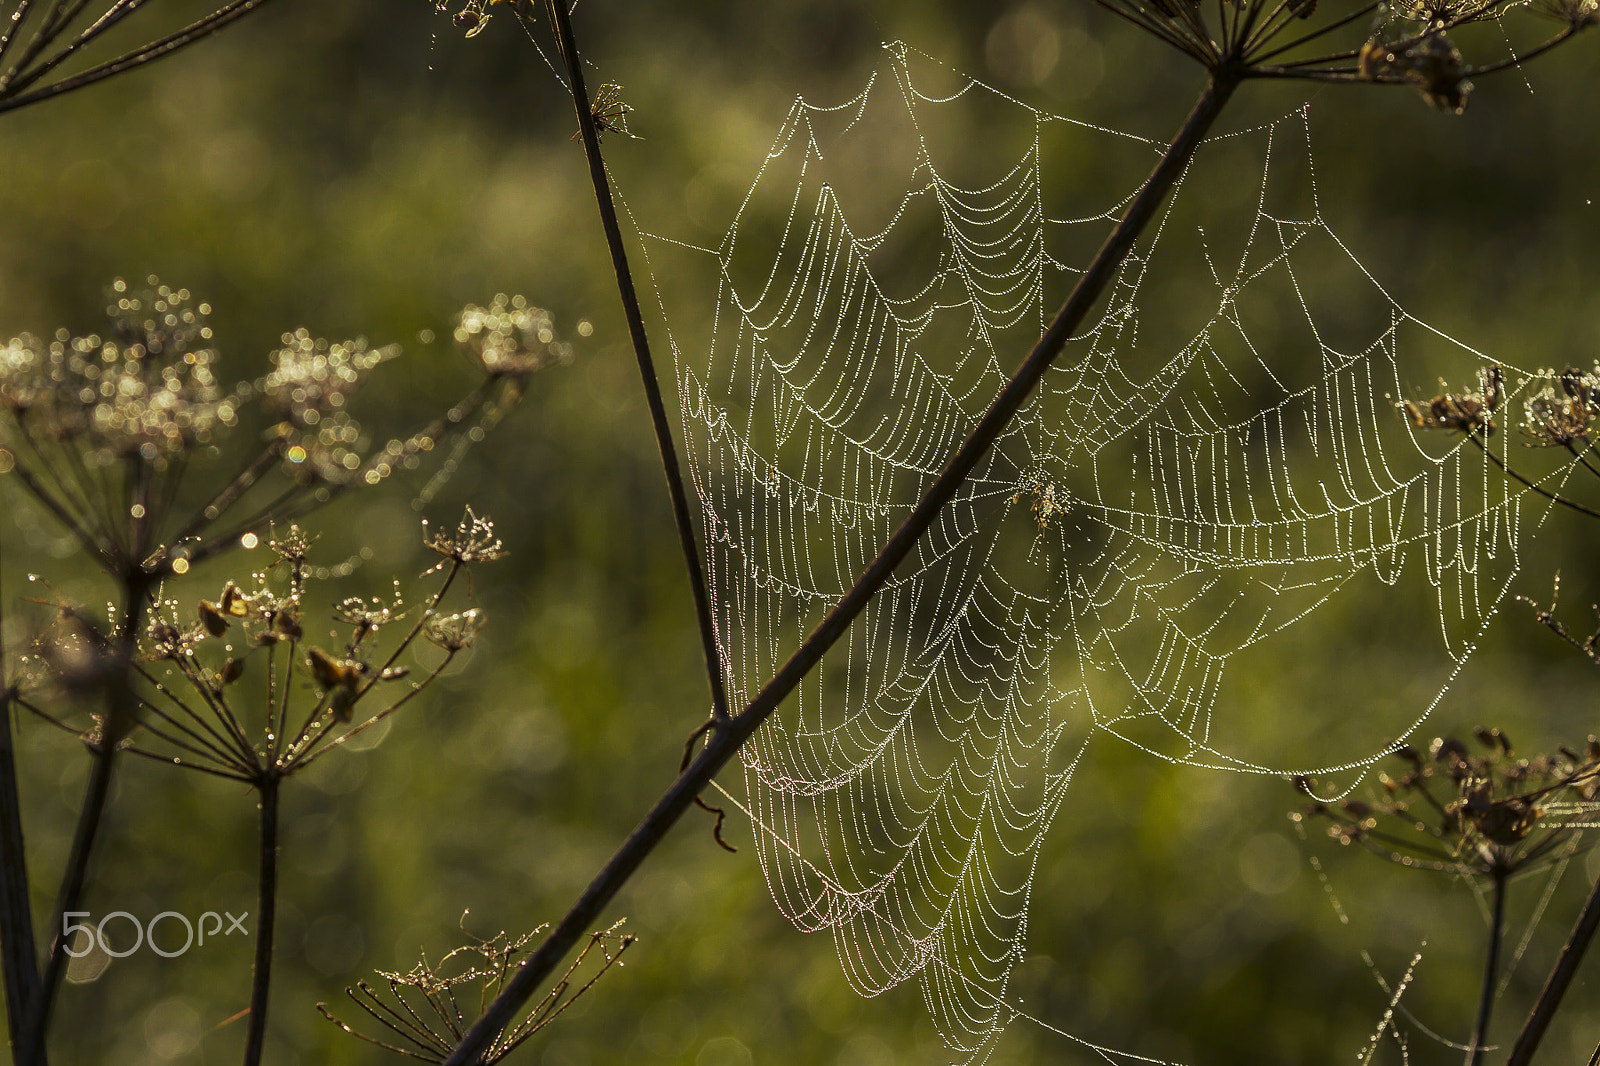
[647, 367]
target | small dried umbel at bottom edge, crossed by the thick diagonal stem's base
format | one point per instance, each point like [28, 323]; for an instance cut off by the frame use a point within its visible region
[423, 1008]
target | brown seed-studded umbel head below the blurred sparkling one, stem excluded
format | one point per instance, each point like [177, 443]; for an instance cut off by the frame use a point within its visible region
[194, 700]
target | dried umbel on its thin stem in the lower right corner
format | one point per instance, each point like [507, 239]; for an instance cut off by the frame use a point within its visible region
[1481, 814]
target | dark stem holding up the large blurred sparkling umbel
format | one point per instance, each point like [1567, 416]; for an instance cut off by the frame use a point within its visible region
[121, 716]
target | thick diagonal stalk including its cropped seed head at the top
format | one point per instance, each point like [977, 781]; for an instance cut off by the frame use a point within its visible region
[1234, 42]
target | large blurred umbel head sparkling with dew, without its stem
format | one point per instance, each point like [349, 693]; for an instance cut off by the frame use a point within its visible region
[103, 430]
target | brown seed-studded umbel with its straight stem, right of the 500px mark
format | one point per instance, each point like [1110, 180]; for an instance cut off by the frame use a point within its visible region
[239, 687]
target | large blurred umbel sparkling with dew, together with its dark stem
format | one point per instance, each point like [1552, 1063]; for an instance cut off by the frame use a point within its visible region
[119, 436]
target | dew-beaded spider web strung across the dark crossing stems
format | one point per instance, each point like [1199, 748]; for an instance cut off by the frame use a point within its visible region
[1210, 483]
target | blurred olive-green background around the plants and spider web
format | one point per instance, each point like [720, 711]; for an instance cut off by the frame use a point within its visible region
[361, 169]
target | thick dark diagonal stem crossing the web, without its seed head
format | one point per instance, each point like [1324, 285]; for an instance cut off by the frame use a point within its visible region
[726, 742]
